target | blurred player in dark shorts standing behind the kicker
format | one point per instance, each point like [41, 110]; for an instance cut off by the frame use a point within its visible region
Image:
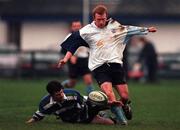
[78, 64]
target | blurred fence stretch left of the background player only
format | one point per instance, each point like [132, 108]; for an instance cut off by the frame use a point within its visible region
[29, 64]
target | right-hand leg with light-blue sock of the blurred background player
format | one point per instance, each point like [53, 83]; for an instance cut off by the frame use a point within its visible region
[89, 82]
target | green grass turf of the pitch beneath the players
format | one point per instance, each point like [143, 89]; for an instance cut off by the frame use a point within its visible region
[155, 106]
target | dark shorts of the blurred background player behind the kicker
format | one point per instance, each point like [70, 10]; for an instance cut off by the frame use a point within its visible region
[78, 69]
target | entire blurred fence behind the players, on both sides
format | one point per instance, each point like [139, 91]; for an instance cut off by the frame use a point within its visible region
[44, 64]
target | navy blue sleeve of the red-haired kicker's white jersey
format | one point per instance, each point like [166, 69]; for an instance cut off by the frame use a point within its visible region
[73, 42]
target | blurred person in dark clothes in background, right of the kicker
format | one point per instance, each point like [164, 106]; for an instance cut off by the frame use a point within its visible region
[148, 59]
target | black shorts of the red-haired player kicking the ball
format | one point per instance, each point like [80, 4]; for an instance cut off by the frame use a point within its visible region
[110, 72]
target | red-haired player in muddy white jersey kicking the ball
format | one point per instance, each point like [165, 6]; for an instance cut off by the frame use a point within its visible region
[106, 39]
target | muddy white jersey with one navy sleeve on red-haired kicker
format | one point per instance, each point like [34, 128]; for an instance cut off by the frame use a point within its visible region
[106, 45]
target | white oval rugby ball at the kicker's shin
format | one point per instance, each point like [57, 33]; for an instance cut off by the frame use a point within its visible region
[98, 98]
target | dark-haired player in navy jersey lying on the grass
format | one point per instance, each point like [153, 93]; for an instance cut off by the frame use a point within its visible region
[68, 105]
